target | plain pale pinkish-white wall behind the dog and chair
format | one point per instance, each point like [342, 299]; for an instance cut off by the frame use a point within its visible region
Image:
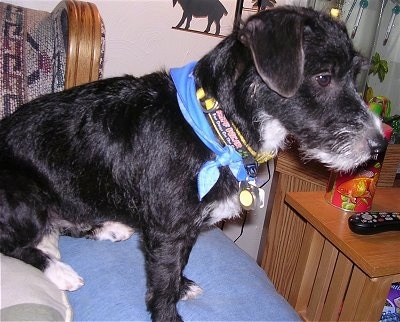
[139, 34]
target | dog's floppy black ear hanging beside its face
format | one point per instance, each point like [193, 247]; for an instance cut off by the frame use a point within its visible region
[275, 38]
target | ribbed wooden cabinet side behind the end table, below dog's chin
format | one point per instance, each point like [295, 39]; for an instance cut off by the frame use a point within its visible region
[284, 230]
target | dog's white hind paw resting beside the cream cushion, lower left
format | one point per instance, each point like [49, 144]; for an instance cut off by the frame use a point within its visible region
[63, 276]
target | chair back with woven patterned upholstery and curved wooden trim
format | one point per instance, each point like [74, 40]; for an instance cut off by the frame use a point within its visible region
[45, 52]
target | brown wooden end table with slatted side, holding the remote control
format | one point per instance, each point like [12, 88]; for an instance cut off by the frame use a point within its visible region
[339, 275]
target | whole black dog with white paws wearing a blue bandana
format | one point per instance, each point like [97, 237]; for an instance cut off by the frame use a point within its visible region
[101, 159]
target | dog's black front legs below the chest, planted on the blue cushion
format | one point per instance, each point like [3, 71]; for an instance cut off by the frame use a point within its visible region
[166, 256]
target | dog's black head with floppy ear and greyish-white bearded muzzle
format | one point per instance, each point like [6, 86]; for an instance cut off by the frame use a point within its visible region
[307, 68]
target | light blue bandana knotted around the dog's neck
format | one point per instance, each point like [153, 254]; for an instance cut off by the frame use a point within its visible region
[193, 113]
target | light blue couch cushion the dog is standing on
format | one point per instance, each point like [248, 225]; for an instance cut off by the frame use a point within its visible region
[235, 288]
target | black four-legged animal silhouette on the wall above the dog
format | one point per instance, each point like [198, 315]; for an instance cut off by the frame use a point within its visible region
[212, 9]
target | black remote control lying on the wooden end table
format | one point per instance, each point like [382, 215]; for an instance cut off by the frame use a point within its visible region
[372, 222]
